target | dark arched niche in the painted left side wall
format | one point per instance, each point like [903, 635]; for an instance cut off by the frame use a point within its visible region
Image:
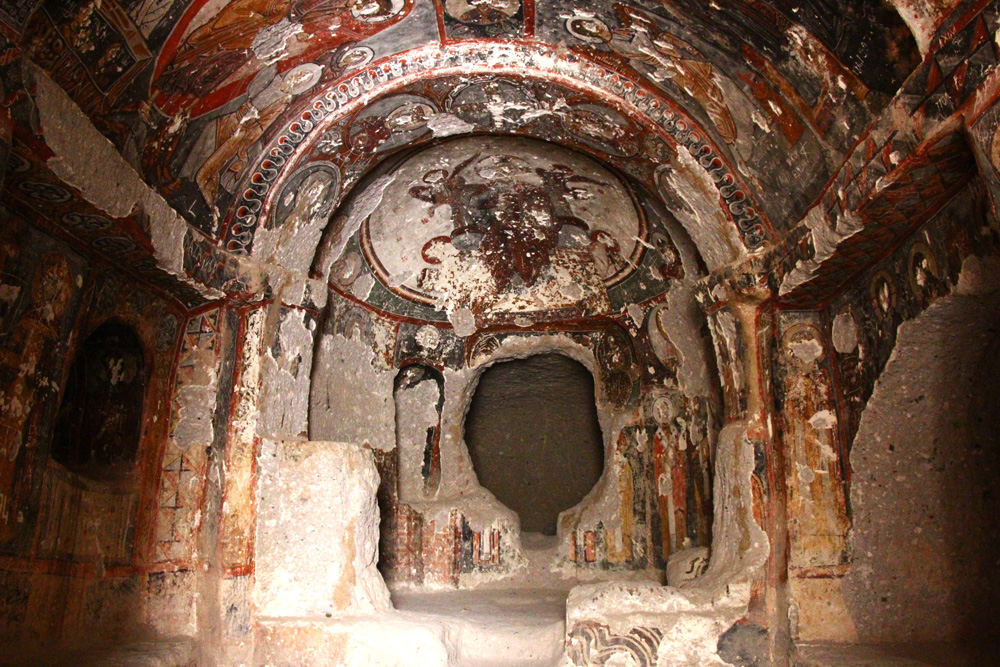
[100, 418]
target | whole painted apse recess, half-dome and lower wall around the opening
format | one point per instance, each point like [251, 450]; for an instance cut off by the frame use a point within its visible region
[473, 251]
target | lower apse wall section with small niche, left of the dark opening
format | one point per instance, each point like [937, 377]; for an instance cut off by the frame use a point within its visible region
[354, 372]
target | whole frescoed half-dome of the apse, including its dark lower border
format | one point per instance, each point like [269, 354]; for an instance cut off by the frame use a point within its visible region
[505, 226]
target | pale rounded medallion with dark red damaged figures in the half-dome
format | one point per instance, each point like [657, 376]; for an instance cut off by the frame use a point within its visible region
[514, 215]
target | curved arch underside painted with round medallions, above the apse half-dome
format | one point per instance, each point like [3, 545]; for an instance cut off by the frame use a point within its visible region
[352, 141]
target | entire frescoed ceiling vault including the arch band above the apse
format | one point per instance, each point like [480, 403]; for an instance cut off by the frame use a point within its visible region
[222, 105]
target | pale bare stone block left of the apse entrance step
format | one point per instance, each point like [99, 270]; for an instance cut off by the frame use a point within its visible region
[317, 543]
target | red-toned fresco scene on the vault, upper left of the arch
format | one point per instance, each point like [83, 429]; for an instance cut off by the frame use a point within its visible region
[240, 71]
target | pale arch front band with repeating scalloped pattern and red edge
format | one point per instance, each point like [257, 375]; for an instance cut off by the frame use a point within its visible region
[304, 134]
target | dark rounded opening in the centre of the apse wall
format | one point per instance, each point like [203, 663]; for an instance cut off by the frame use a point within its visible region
[534, 437]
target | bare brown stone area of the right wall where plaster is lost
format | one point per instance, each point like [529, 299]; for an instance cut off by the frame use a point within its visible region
[925, 463]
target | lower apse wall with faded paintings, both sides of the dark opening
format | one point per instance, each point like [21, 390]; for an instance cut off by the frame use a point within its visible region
[658, 443]
